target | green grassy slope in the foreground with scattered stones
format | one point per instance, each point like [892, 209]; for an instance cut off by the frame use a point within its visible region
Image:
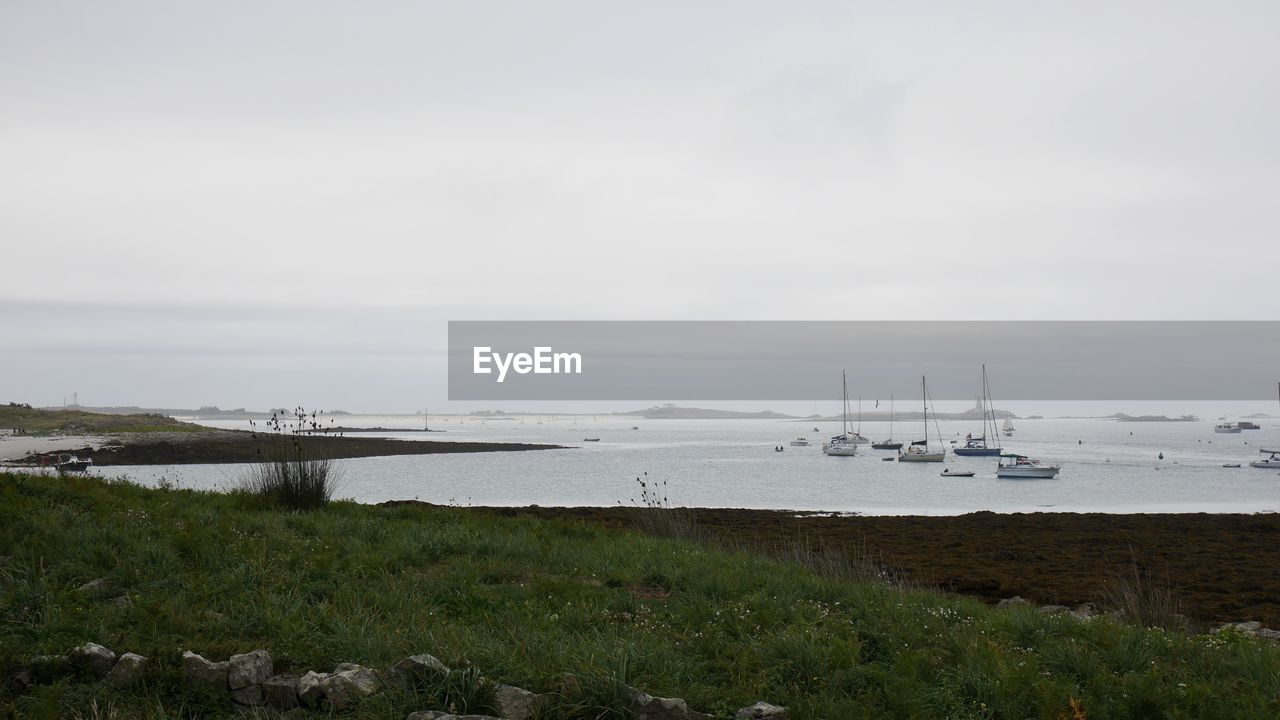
[527, 601]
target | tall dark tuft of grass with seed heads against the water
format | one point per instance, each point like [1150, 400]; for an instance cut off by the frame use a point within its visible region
[292, 473]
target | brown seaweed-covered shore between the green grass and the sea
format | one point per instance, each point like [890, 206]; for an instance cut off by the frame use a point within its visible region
[1222, 567]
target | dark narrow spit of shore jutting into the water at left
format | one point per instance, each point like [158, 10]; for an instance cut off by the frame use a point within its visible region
[241, 446]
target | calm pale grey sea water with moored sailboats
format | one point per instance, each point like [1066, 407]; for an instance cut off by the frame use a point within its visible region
[1108, 467]
